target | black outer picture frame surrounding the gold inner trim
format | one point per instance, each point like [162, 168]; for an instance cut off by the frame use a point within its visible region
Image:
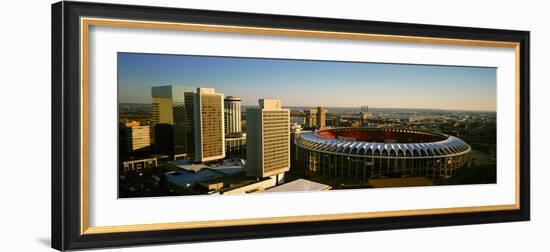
[66, 135]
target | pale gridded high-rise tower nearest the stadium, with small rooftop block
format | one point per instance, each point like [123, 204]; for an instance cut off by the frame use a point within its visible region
[268, 140]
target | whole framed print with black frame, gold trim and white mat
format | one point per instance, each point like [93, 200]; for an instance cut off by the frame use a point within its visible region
[180, 125]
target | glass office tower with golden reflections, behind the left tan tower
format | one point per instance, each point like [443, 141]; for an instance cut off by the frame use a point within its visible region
[171, 106]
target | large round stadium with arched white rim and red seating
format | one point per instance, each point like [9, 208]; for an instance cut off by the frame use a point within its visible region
[360, 154]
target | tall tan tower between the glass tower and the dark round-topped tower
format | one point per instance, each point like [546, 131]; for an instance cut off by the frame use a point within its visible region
[209, 129]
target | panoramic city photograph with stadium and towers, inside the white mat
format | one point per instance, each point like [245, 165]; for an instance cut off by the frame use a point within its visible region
[212, 125]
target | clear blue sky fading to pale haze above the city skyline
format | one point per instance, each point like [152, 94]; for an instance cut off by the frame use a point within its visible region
[312, 83]
